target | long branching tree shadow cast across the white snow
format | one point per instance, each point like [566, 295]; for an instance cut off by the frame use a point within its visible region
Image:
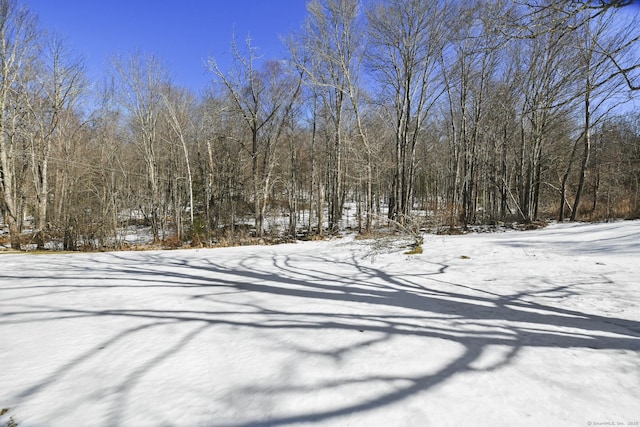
[377, 302]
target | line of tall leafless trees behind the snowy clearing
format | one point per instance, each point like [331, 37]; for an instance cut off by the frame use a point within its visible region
[401, 113]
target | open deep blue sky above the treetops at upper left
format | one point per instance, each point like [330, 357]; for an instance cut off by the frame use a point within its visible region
[183, 33]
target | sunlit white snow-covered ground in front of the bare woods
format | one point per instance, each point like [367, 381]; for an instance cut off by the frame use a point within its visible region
[535, 328]
